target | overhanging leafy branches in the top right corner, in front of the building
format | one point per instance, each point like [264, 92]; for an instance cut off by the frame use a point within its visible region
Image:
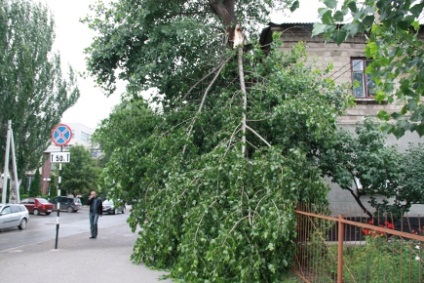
[396, 47]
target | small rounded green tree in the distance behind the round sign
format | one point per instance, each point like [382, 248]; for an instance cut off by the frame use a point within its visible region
[80, 175]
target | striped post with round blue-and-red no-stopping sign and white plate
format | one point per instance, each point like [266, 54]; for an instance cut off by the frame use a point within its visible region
[61, 135]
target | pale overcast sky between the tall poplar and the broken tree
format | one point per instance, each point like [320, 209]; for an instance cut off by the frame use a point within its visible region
[72, 37]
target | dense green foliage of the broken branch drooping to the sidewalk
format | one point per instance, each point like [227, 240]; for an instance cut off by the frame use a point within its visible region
[208, 212]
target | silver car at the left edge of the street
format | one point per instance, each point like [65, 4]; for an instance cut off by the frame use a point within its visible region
[13, 215]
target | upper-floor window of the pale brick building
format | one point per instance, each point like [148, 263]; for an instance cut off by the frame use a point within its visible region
[363, 86]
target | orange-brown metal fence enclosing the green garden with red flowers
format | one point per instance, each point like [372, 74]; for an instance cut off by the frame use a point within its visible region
[349, 249]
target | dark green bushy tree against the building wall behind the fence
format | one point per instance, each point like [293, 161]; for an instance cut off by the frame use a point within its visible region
[365, 165]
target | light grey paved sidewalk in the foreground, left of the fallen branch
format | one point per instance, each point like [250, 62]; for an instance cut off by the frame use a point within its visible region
[78, 259]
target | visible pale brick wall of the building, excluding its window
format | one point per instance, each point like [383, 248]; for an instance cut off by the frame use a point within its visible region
[323, 54]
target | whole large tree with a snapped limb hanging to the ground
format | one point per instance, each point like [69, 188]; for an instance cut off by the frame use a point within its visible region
[218, 169]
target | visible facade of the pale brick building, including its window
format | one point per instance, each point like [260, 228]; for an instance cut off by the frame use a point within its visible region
[349, 64]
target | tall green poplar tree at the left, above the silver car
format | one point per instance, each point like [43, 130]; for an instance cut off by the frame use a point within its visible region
[33, 92]
